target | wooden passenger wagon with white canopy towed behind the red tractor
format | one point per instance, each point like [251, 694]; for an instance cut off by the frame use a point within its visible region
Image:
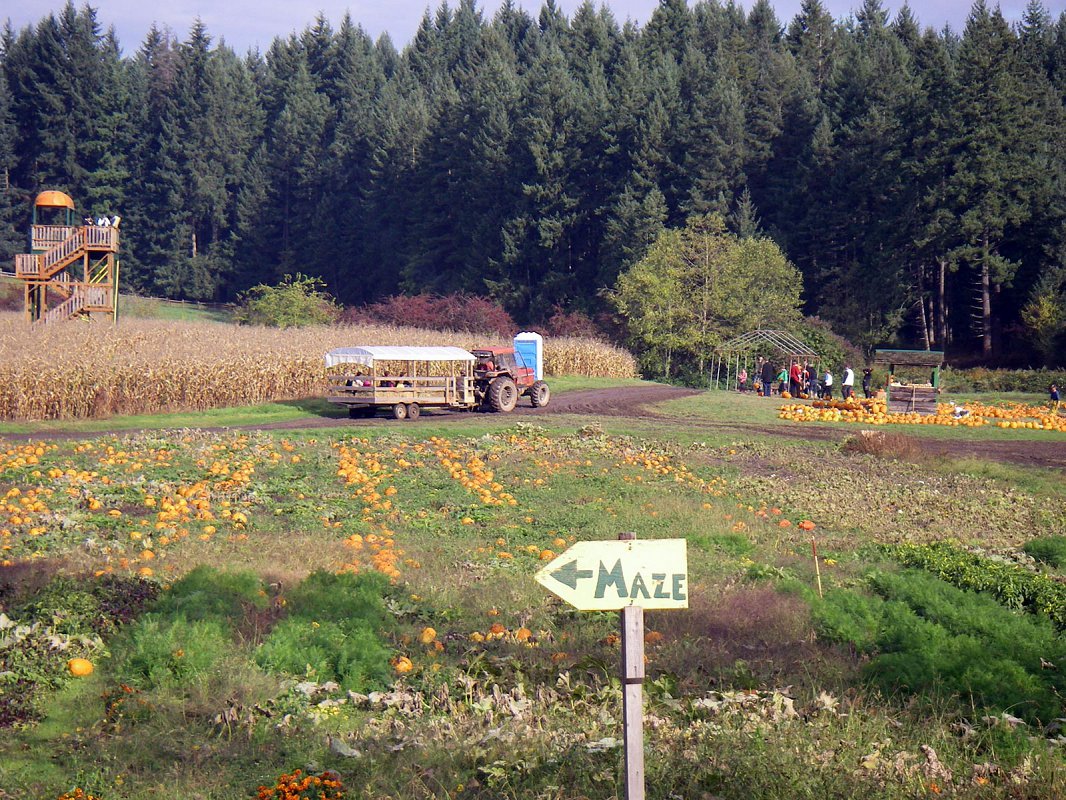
[402, 380]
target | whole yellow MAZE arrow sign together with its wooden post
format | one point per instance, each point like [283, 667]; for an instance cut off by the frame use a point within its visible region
[627, 577]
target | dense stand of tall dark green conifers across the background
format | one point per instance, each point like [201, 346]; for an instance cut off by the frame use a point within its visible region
[916, 179]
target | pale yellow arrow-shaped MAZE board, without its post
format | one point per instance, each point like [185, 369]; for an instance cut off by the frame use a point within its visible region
[608, 577]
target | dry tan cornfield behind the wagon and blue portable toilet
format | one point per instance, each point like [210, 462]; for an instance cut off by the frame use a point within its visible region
[78, 371]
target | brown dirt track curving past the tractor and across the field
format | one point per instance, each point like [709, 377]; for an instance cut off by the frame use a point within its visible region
[639, 403]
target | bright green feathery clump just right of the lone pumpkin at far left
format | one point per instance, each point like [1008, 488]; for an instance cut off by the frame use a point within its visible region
[171, 651]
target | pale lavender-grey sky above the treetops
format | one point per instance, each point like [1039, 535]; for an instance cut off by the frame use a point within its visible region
[250, 24]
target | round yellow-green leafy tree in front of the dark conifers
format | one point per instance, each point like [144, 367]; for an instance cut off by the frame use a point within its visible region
[699, 286]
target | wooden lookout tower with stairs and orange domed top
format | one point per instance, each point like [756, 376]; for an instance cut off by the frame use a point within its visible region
[73, 270]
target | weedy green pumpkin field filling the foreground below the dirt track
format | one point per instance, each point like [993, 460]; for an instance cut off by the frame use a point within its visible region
[362, 602]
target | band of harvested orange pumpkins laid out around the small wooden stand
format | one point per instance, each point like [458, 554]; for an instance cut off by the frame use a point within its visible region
[875, 412]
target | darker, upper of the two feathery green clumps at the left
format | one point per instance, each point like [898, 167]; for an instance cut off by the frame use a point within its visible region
[207, 594]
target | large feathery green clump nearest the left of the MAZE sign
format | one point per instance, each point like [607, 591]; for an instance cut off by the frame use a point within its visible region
[333, 632]
